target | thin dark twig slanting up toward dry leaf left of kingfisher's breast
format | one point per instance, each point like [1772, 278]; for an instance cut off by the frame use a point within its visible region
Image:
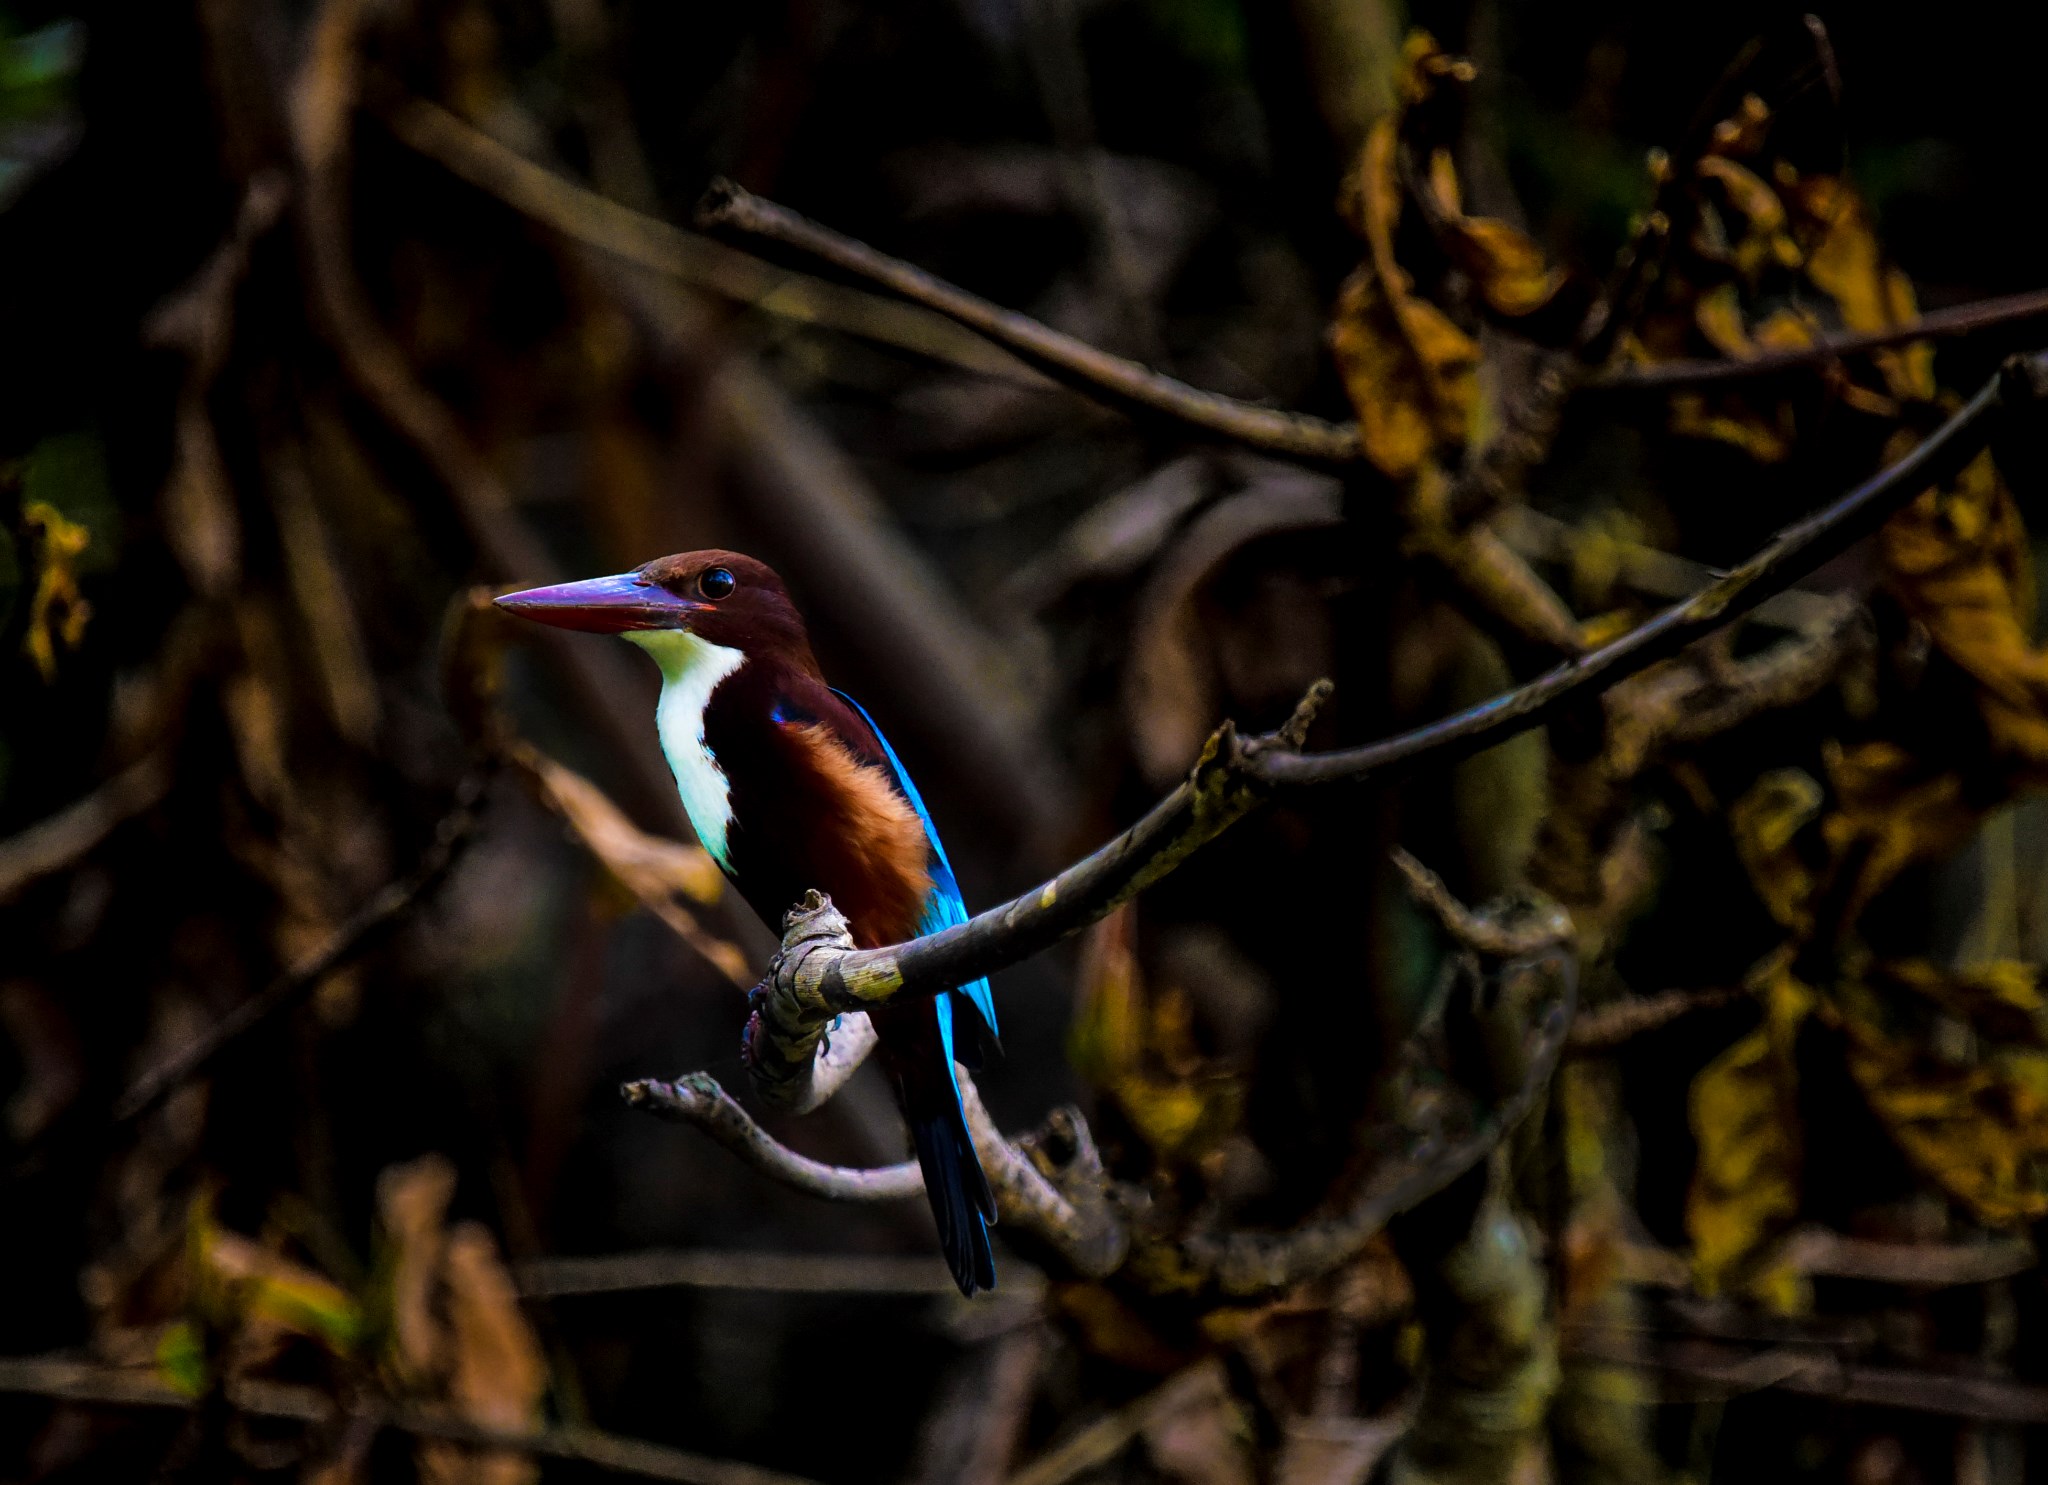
[359, 933]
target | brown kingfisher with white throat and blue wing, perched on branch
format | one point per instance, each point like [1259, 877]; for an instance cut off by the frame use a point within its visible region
[792, 786]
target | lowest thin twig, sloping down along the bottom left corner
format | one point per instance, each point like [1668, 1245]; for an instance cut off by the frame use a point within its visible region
[116, 1388]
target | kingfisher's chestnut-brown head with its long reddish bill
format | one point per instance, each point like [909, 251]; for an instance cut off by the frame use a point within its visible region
[720, 597]
